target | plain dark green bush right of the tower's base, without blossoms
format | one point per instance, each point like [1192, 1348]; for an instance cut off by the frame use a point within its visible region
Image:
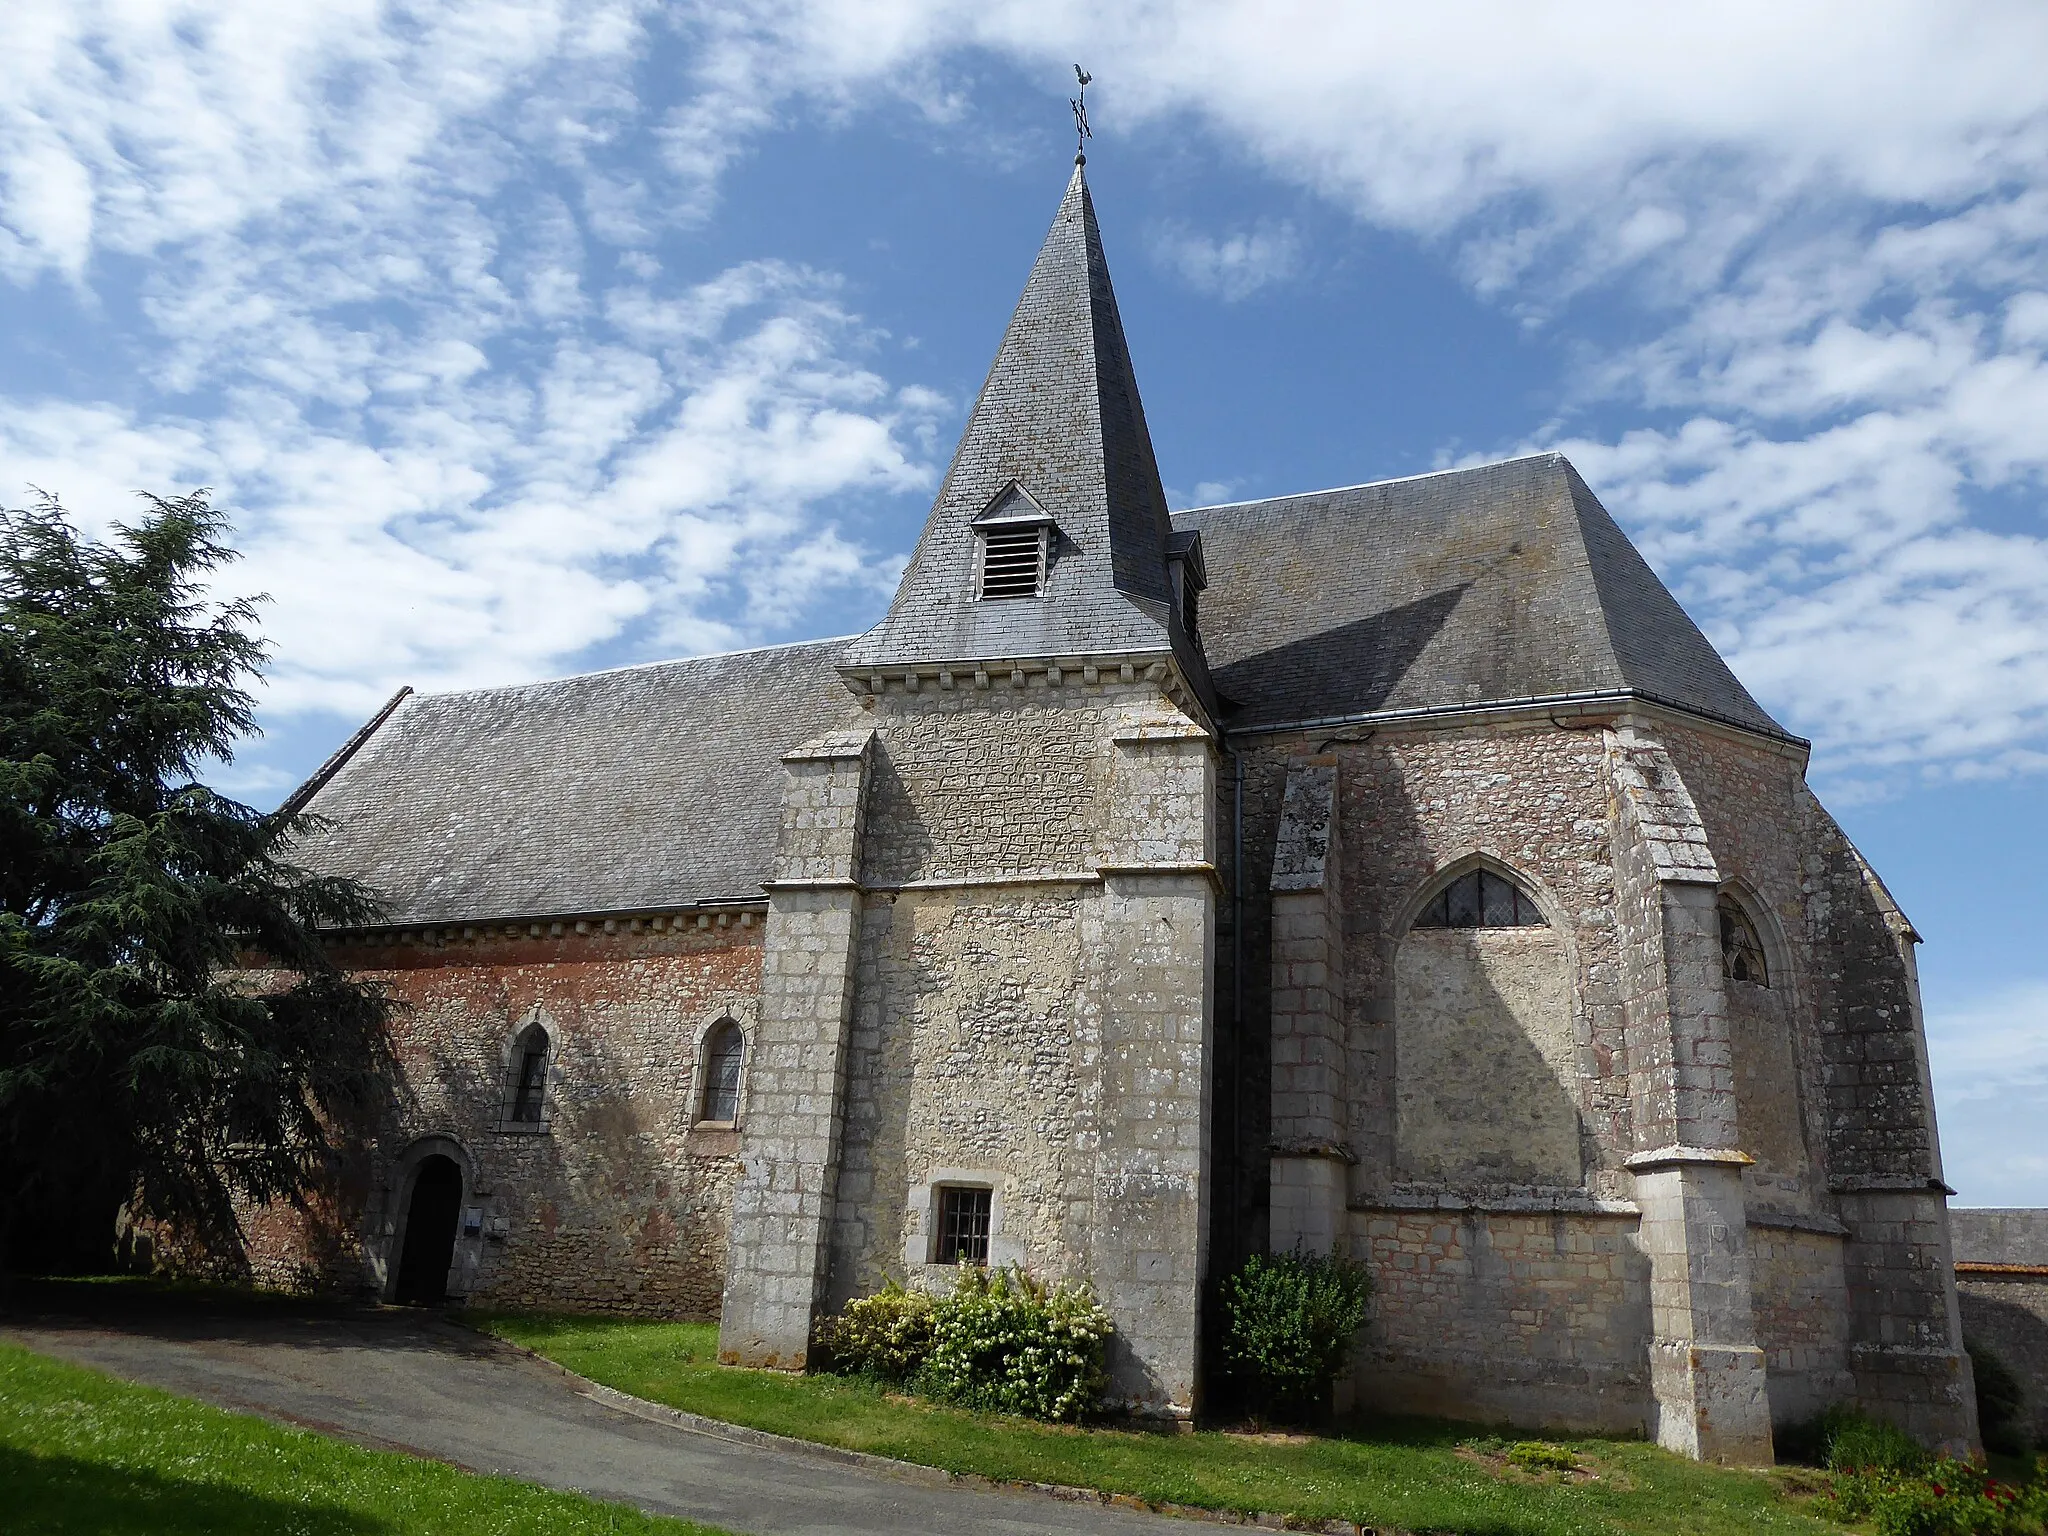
[1287, 1328]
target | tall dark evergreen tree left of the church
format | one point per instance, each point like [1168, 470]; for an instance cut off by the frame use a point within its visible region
[138, 1062]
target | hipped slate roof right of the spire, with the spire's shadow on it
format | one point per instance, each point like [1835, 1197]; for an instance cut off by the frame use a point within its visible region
[1486, 585]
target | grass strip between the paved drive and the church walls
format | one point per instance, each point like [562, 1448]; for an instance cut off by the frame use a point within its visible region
[1398, 1474]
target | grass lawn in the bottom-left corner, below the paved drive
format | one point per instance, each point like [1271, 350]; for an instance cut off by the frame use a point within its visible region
[87, 1453]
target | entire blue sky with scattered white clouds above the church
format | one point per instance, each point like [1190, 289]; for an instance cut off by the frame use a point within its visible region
[531, 337]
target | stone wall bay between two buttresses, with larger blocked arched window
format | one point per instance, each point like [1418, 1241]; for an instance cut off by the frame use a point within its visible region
[1467, 1080]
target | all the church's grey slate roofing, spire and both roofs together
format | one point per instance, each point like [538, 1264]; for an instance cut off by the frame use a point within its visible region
[658, 787]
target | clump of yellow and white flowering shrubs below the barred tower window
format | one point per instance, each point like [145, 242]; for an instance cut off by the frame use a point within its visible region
[998, 1342]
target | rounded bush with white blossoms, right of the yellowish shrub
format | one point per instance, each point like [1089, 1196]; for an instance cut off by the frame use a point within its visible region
[1009, 1345]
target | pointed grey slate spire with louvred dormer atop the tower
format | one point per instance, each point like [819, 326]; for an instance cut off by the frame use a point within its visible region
[1050, 536]
